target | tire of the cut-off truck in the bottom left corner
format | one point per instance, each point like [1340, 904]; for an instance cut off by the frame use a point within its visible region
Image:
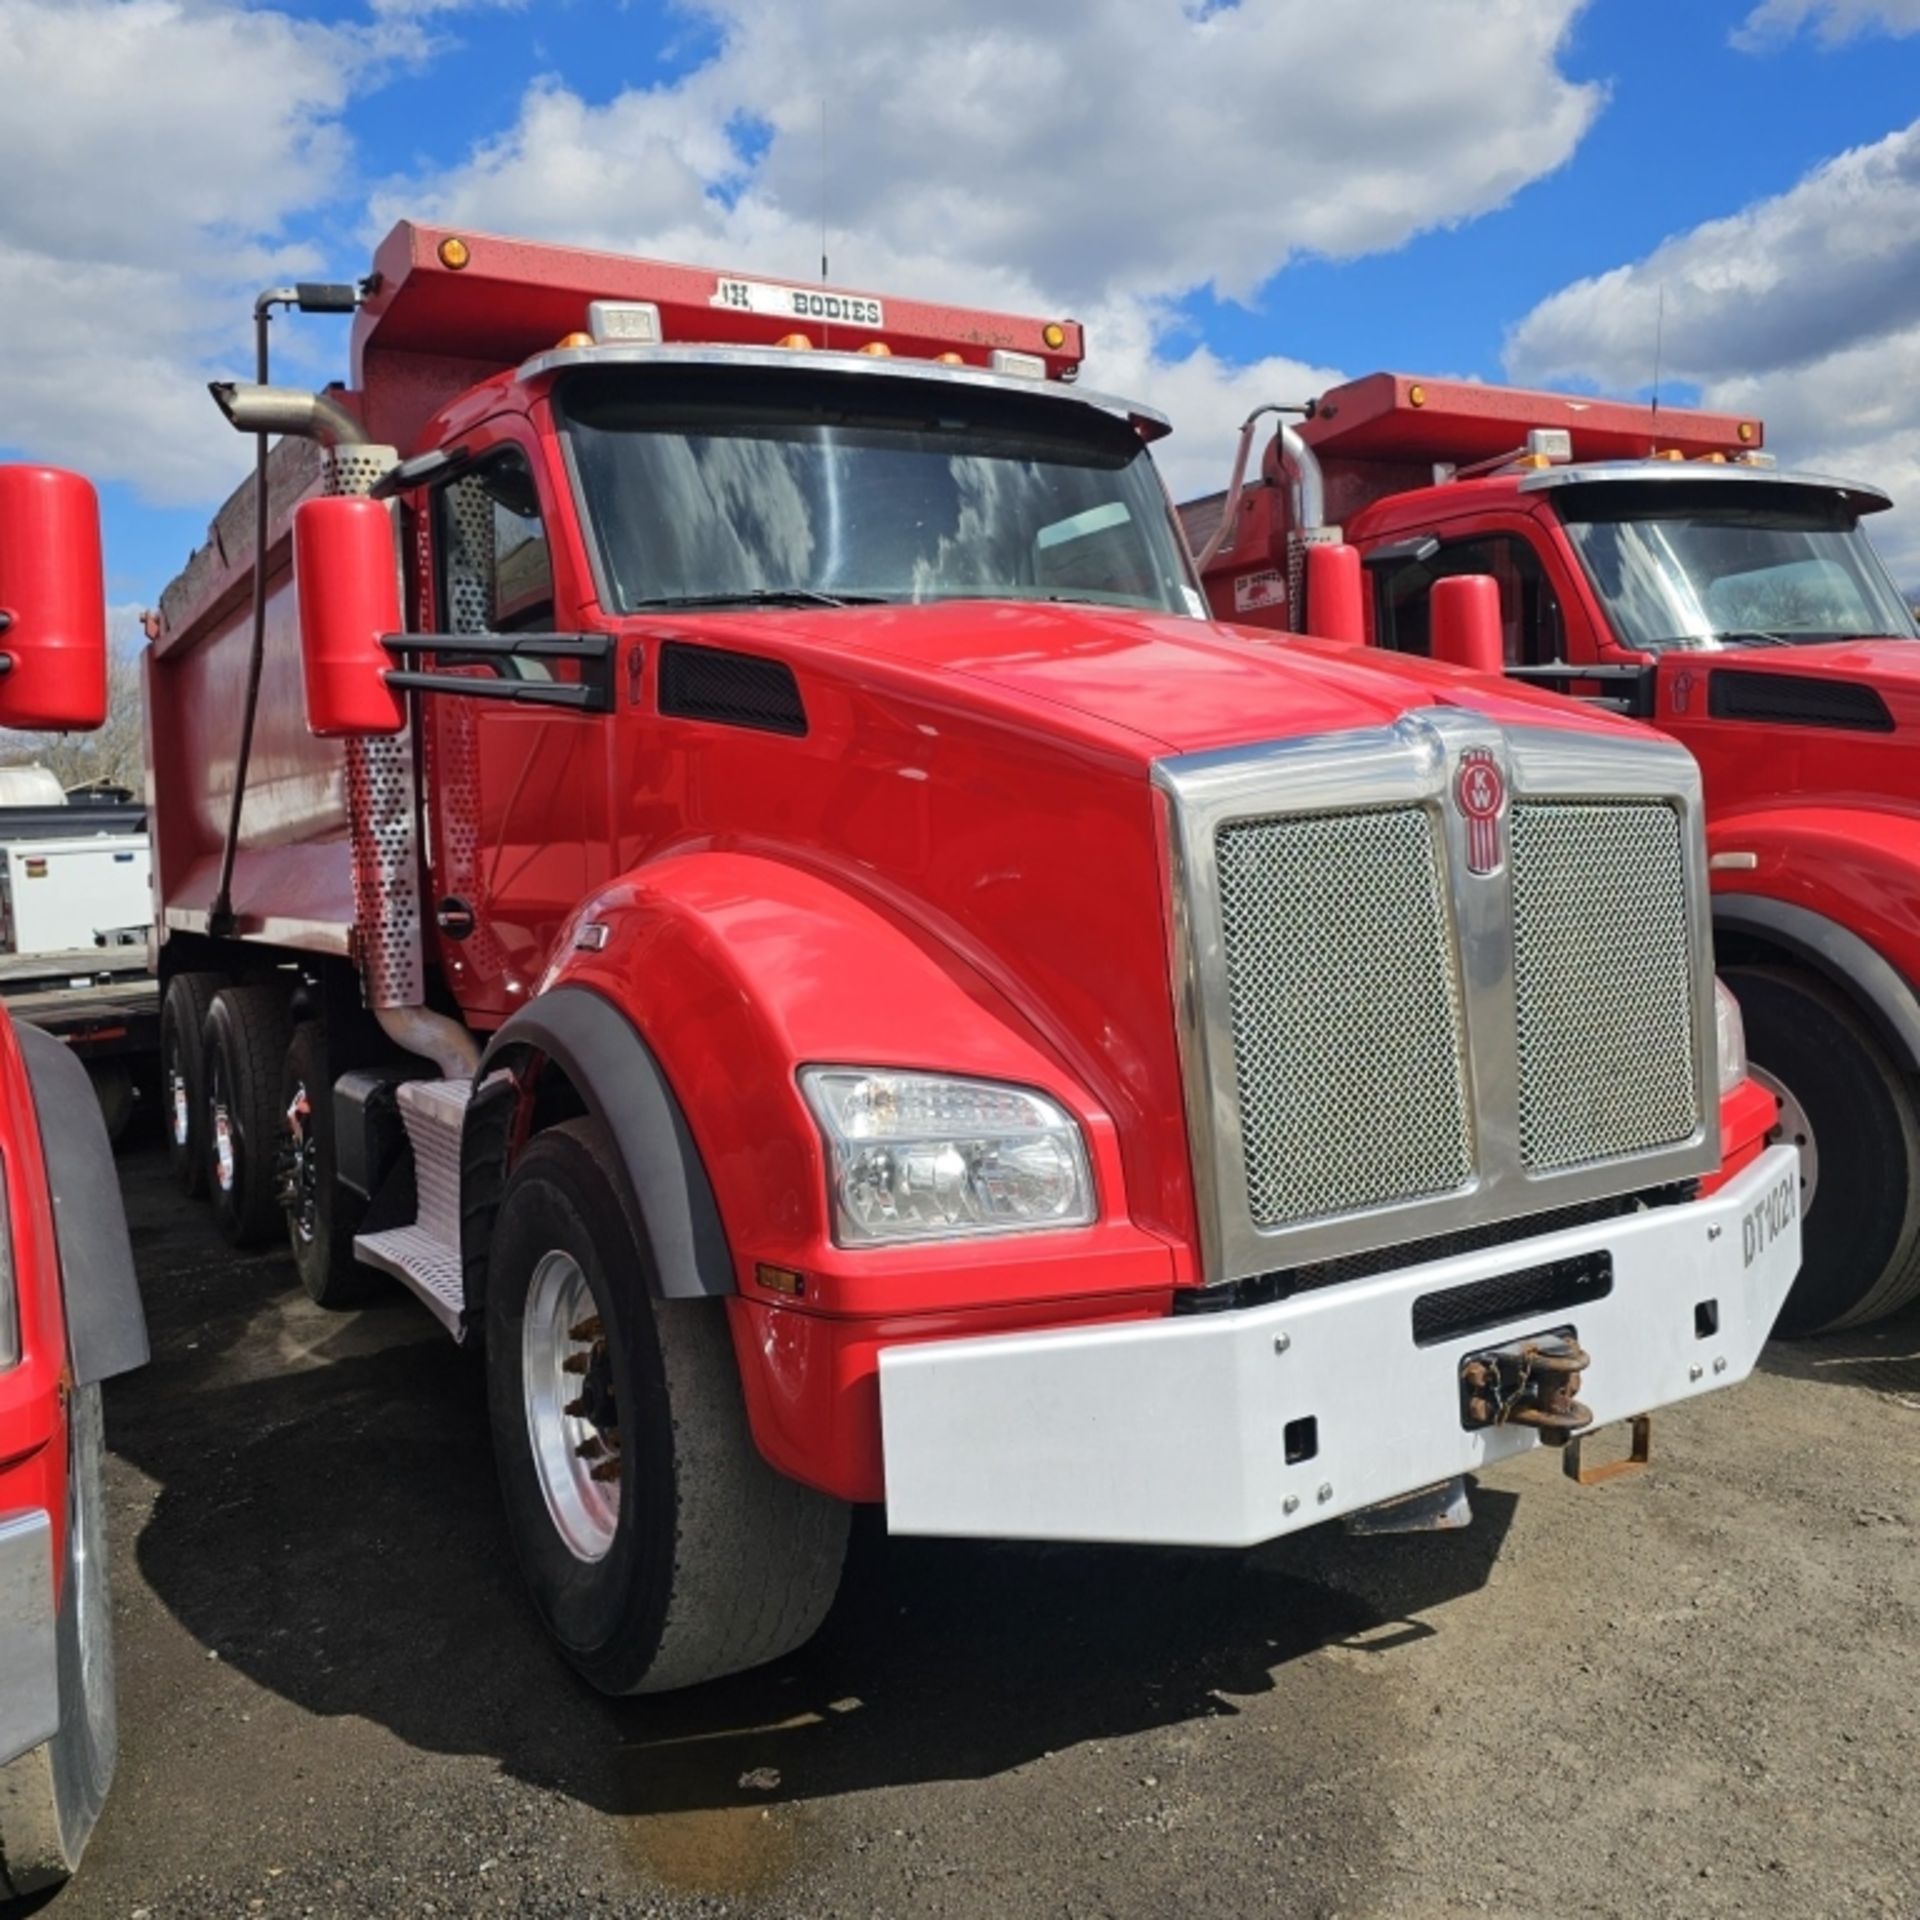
[53, 1796]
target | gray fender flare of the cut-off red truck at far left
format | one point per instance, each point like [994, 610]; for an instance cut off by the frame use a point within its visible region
[107, 1324]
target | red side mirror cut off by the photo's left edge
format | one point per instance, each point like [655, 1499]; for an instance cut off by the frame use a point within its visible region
[53, 602]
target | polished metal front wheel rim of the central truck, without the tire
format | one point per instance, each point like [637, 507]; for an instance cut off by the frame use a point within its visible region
[571, 1420]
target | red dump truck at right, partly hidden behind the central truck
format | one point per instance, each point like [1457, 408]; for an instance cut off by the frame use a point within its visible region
[1660, 562]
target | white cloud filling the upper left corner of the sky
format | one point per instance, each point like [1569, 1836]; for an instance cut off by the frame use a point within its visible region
[155, 153]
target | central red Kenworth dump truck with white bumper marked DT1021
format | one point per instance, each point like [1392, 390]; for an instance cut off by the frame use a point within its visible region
[761, 898]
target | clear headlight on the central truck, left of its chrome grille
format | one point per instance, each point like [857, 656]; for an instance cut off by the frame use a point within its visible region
[923, 1157]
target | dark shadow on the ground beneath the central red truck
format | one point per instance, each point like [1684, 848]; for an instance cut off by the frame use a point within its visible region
[327, 1524]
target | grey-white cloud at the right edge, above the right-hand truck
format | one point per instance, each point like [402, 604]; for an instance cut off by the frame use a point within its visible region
[1804, 308]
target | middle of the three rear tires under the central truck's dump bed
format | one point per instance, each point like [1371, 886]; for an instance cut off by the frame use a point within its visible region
[245, 1053]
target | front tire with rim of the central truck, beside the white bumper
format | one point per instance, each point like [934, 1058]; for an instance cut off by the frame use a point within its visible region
[660, 1547]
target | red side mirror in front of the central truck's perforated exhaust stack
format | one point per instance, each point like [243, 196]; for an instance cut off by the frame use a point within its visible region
[347, 579]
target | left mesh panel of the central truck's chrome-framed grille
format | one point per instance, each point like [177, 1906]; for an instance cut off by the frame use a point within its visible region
[1347, 1026]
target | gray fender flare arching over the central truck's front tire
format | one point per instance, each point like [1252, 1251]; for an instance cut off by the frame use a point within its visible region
[625, 1090]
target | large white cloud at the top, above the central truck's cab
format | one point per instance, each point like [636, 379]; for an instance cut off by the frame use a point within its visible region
[1140, 147]
